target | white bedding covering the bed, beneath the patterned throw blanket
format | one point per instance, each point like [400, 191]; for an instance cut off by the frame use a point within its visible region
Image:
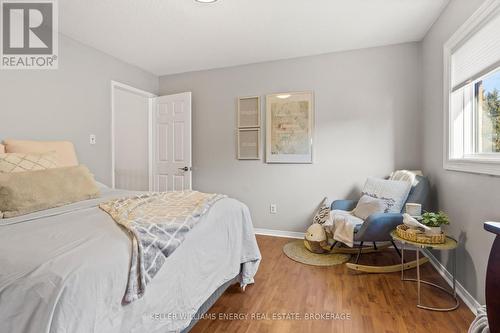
[65, 270]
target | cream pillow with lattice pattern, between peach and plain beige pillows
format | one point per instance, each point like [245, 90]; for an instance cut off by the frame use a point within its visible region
[18, 162]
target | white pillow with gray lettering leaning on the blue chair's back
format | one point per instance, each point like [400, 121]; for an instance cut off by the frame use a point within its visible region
[393, 192]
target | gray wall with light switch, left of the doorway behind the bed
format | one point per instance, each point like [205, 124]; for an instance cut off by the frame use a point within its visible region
[68, 103]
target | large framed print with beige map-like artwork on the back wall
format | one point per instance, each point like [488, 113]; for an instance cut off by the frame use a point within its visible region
[289, 127]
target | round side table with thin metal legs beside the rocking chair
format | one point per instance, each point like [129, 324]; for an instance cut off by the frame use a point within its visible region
[450, 245]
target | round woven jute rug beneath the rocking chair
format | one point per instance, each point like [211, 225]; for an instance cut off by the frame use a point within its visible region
[297, 251]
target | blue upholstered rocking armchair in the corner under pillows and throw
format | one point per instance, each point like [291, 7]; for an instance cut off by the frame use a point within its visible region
[377, 227]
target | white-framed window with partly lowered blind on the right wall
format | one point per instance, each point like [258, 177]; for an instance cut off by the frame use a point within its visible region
[472, 94]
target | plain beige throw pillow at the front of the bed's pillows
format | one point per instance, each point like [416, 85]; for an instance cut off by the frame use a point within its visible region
[26, 192]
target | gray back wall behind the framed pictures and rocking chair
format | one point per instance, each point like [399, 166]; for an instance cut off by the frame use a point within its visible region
[367, 123]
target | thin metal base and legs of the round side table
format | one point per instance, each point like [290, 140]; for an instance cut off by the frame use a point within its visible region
[452, 293]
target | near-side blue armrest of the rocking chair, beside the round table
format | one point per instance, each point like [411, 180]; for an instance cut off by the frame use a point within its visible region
[378, 227]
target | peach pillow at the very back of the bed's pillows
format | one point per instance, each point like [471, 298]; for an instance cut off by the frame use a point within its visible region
[65, 150]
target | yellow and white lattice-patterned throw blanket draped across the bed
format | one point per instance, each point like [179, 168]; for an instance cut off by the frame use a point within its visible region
[157, 224]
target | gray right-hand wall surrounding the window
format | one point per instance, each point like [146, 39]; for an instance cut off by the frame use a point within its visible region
[468, 198]
